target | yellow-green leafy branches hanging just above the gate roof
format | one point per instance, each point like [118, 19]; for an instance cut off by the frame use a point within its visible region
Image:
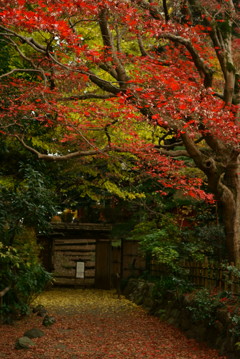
[97, 180]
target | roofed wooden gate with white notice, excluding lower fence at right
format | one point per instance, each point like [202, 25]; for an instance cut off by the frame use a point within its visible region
[79, 254]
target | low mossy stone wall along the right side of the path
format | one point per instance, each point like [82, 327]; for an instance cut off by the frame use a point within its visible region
[175, 311]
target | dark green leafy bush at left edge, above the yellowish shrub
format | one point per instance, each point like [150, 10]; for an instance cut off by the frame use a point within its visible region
[28, 202]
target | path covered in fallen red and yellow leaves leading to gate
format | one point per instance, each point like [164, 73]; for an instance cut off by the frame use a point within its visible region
[95, 324]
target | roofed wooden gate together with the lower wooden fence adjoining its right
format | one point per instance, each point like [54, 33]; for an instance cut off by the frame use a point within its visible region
[82, 255]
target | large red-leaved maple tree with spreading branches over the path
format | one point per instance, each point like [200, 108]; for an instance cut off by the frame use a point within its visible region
[136, 67]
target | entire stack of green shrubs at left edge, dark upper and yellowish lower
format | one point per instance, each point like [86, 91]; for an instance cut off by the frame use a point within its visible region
[26, 206]
